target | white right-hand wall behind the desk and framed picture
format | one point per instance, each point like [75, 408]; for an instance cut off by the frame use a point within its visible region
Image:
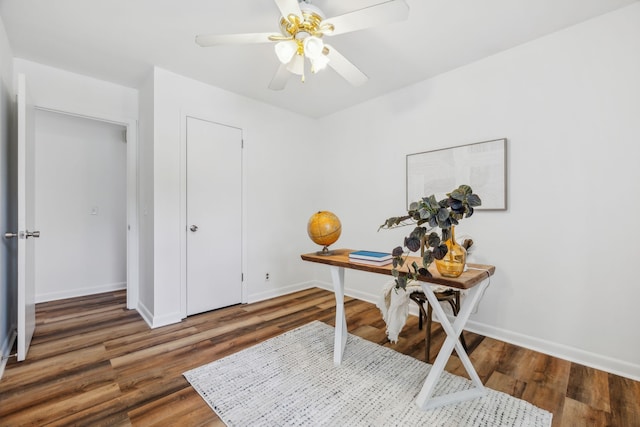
[569, 105]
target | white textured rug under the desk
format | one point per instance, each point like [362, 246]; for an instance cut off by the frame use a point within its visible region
[291, 380]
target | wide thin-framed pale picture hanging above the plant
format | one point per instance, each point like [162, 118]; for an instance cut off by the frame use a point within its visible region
[481, 165]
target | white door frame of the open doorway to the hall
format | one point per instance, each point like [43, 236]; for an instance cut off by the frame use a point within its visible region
[131, 129]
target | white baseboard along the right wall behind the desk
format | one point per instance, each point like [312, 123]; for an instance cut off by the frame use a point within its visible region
[572, 354]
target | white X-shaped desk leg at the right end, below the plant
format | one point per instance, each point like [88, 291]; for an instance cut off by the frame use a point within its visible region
[425, 399]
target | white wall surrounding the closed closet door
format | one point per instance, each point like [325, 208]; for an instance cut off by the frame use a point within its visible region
[280, 182]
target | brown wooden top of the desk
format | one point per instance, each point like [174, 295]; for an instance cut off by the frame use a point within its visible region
[475, 274]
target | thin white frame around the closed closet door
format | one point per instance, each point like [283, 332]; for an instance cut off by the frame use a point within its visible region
[184, 115]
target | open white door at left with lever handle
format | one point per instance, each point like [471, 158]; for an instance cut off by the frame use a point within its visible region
[26, 233]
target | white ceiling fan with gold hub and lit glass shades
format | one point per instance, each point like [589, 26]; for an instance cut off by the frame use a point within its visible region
[302, 28]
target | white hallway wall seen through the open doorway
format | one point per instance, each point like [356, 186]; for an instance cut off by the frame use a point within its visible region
[80, 206]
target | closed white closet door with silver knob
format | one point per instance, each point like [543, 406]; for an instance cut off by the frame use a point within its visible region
[214, 215]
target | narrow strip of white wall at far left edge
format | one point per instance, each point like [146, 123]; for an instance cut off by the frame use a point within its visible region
[8, 221]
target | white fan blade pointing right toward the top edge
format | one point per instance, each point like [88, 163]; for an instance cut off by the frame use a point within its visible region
[383, 13]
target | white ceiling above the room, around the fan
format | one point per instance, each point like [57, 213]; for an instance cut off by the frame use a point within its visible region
[120, 40]
